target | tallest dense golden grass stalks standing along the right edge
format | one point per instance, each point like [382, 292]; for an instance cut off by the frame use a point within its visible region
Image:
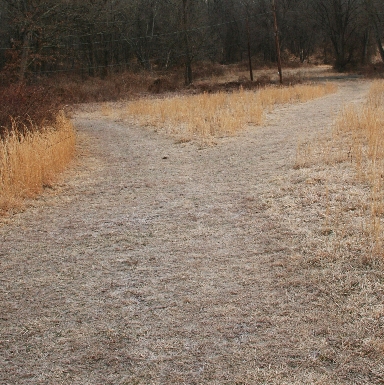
[360, 130]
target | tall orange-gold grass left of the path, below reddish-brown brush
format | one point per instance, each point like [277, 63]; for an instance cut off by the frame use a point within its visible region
[30, 162]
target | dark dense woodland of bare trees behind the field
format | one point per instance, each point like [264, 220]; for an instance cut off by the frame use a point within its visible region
[101, 37]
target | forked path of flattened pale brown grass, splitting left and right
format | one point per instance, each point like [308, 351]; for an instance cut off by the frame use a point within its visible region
[163, 263]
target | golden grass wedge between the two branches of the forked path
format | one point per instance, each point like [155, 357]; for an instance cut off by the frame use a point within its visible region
[211, 115]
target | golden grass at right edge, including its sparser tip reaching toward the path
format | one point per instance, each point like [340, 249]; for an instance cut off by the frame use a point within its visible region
[358, 138]
